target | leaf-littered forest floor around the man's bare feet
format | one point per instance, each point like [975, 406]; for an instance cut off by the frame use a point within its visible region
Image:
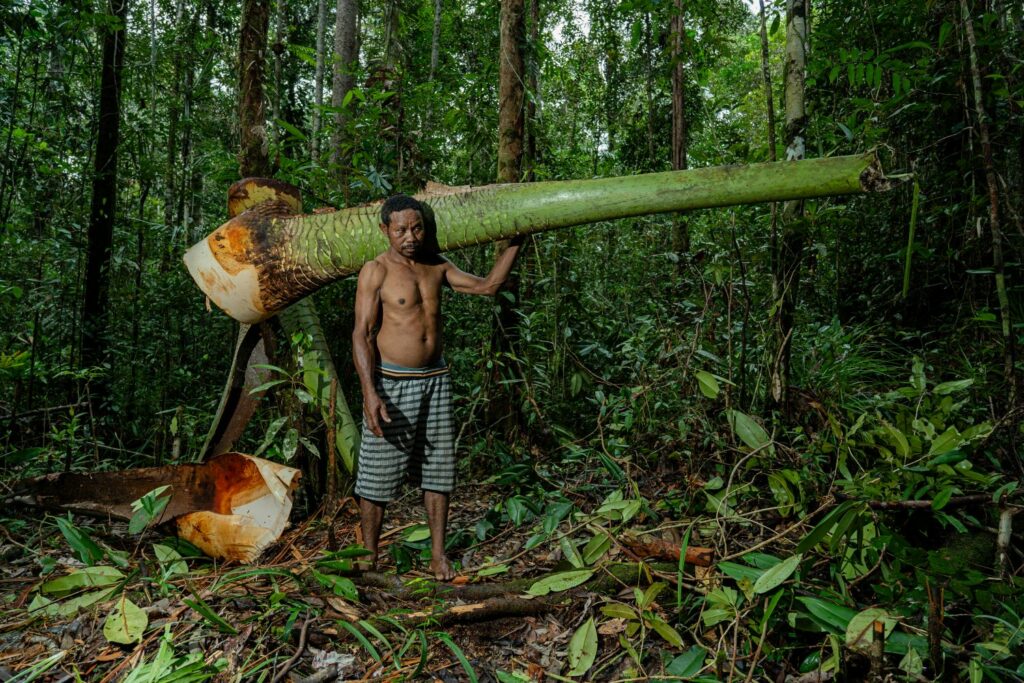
[294, 617]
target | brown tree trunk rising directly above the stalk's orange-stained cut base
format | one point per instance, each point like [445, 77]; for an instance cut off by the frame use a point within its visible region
[254, 156]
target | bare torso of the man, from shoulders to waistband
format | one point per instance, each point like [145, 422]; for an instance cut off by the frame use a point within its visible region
[410, 333]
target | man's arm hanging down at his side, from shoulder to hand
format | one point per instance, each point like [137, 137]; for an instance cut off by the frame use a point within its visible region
[368, 305]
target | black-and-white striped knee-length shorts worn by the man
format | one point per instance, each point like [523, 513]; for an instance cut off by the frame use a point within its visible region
[420, 440]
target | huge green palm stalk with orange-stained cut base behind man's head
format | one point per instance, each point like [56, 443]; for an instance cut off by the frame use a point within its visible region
[262, 262]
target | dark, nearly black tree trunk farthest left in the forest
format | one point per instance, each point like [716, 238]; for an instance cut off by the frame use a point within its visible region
[105, 191]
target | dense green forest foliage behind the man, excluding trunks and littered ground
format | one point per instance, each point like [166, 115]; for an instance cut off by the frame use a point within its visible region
[646, 369]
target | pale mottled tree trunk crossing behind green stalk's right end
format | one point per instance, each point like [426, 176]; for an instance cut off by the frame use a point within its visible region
[786, 276]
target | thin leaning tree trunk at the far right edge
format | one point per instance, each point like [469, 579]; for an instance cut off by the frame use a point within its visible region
[999, 267]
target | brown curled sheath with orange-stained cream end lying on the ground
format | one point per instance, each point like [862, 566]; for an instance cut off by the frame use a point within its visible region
[232, 507]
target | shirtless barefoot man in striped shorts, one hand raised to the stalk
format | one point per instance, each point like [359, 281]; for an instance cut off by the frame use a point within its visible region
[407, 397]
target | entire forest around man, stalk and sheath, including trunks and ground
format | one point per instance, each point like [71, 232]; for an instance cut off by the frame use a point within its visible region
[825, 395]
